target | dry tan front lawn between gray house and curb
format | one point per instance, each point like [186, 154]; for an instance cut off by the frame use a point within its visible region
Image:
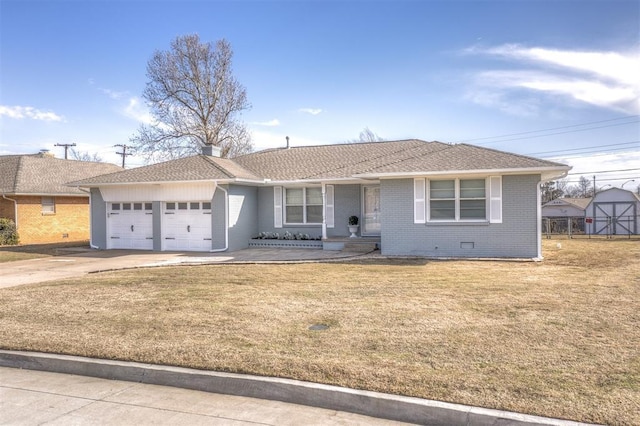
[559, 338]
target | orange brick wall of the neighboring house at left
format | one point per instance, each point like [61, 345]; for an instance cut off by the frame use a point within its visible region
[71, 218]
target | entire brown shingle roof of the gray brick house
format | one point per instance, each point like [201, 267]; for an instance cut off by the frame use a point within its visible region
[332, 162]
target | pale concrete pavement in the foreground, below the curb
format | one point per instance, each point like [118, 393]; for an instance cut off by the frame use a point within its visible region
[36, 397]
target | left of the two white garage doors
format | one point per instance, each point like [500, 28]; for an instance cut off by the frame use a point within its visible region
[130, 226]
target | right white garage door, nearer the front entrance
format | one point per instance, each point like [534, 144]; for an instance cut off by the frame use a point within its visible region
[187, 226]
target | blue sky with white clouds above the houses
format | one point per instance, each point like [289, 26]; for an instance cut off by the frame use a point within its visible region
[551, 78]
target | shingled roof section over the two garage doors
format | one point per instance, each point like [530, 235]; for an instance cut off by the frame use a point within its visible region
[194, 168]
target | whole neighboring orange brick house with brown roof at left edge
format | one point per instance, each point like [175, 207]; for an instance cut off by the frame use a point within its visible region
[33, 194]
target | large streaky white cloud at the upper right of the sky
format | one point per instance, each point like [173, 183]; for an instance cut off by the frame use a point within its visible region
[604, 79]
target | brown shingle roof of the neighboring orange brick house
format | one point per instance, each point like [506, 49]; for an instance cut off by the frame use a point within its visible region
[41, 174]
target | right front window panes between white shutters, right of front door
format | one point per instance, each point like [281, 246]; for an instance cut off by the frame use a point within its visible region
[457, 200]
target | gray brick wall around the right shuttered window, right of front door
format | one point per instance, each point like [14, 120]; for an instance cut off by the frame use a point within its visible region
[516, 236]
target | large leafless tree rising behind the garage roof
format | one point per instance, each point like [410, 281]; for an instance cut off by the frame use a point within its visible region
[194, 100]
